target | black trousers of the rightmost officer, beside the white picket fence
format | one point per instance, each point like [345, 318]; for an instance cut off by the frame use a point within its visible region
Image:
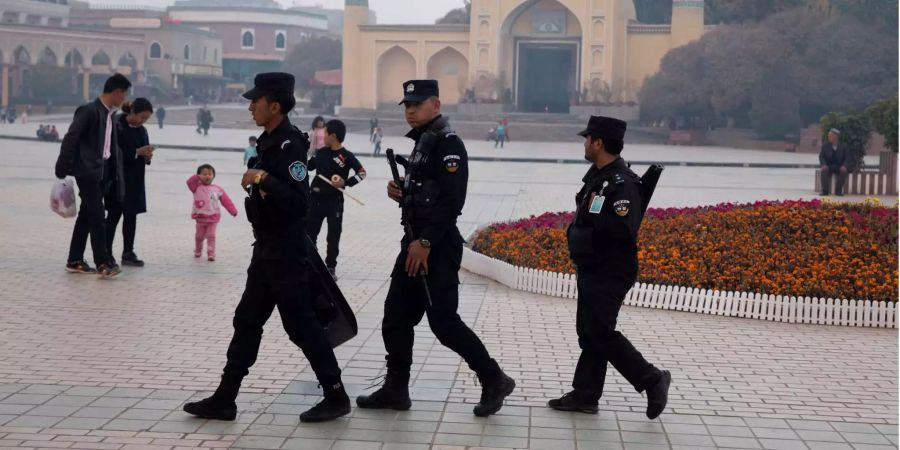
[599, 299]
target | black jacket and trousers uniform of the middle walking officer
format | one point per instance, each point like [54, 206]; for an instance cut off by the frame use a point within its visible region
[434, 193]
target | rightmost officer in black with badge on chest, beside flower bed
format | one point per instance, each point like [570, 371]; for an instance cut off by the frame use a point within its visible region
[603, 245]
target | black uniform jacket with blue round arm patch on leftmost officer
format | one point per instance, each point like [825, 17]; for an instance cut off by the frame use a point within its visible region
[277, 207]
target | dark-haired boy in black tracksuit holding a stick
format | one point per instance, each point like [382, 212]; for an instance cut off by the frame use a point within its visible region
[334, 163]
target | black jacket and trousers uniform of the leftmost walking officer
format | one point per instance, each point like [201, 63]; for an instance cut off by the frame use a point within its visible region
[278, 272]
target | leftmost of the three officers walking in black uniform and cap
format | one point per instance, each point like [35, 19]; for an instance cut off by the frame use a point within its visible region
[278, 274]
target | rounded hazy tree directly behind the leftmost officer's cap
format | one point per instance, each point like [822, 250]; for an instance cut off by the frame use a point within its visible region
[310, 55]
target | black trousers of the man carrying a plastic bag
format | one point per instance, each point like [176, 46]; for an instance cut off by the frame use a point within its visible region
[90, 222]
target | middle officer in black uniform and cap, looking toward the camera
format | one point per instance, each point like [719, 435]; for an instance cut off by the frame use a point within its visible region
[433, 195]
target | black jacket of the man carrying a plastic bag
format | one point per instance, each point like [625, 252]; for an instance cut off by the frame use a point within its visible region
[81, 152]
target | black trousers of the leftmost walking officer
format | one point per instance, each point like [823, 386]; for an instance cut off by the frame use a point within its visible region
[282, 283]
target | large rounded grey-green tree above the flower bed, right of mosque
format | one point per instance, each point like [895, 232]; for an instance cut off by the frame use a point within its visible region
[835, 64]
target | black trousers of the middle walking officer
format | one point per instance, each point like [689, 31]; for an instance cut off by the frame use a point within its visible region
[406, 304]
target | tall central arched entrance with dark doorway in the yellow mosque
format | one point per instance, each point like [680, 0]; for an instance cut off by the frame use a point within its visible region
[541, 48]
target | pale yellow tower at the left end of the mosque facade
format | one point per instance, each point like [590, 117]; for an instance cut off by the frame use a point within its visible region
[356, 13]
